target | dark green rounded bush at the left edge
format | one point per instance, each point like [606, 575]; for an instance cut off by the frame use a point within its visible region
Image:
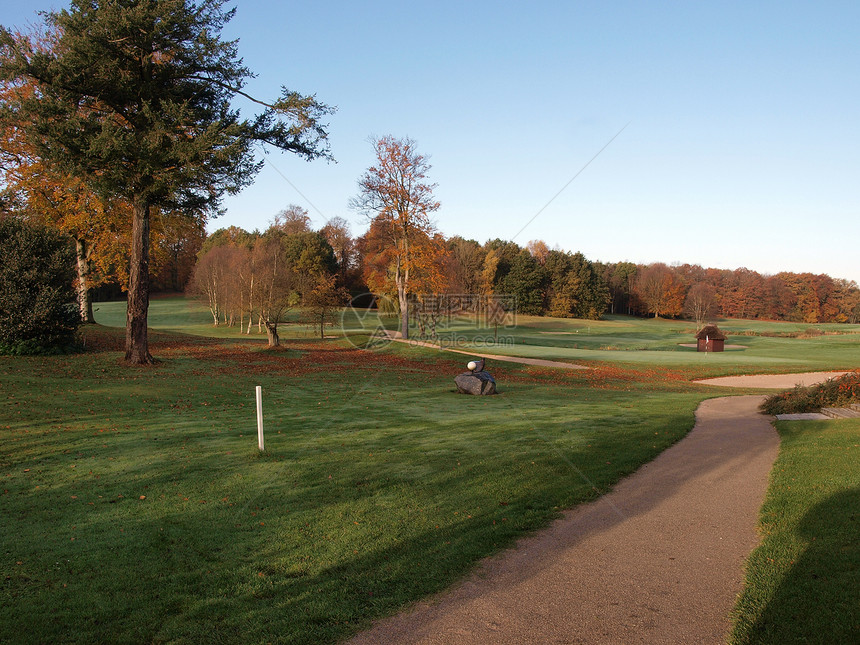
[38, 313]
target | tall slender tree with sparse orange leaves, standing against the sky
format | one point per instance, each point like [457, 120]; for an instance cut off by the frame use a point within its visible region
[395, 193]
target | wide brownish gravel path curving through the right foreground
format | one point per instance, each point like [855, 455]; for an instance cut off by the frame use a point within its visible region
[657, 560]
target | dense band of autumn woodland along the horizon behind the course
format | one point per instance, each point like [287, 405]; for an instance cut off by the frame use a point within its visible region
[544, 281]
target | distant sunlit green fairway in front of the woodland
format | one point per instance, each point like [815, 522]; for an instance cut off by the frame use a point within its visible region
[766, 346]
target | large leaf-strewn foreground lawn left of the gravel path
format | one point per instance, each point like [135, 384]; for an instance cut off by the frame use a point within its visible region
[137, 507]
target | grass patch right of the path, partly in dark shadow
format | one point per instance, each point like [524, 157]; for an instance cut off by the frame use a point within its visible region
[803, 581]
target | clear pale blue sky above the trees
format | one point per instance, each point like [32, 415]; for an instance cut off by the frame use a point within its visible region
[725, 134]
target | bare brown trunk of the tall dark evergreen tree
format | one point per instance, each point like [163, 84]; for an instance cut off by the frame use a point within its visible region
[136, 340]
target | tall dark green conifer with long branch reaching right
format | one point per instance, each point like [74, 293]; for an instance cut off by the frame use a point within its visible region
[137, 98]
